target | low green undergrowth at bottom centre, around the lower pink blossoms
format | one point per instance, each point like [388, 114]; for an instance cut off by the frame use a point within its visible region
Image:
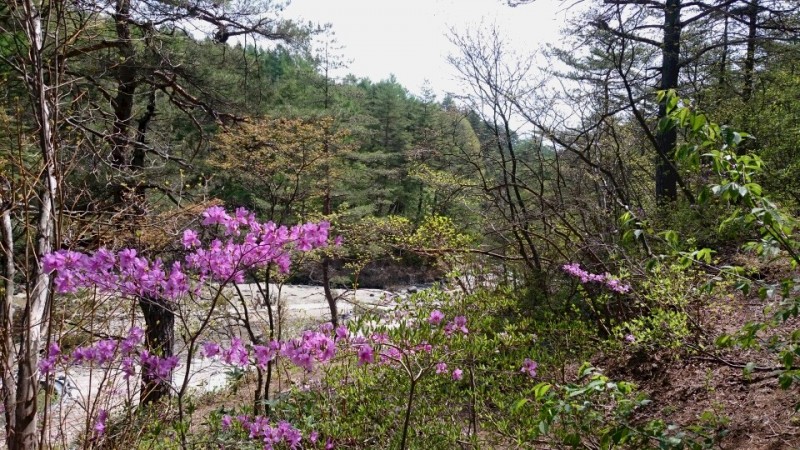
[368, 405]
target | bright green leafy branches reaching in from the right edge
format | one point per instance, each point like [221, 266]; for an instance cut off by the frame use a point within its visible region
[775, 228]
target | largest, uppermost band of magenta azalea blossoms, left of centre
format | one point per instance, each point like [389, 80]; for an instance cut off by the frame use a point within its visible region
[246, 244]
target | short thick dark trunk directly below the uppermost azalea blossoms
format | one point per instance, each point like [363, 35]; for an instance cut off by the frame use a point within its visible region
[160, 339]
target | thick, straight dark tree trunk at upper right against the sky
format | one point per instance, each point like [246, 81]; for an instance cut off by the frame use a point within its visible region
[666, 176]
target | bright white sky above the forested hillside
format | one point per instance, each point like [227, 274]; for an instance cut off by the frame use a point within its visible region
[408, 38]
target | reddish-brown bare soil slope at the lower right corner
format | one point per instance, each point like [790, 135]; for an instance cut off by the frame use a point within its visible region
[753, 411]
